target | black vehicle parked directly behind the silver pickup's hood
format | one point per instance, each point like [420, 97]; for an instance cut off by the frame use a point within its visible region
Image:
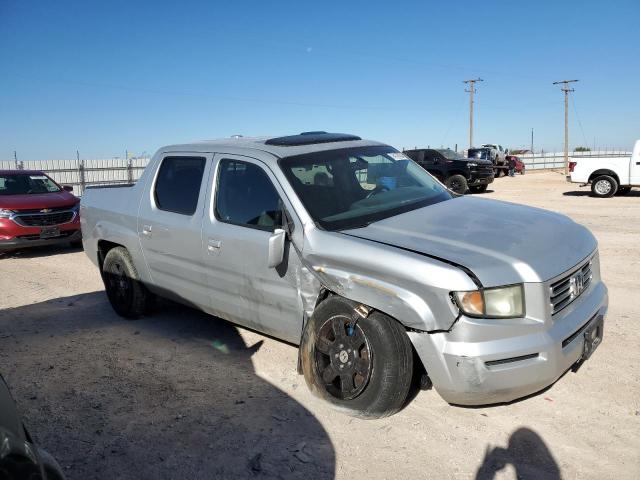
[456, 172]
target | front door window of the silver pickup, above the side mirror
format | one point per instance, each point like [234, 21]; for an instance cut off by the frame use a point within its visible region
[245, 196]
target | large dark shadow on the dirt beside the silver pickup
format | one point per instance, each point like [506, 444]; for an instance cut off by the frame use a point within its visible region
[173, 395]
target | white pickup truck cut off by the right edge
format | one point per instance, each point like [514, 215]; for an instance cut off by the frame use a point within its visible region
[608, 176]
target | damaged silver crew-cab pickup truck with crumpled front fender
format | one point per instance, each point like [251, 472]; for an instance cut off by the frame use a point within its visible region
[355, 253]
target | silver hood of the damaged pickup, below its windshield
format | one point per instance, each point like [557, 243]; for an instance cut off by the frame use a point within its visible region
[501, 243]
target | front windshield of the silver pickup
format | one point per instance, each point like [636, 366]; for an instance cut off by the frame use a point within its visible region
[353, 187]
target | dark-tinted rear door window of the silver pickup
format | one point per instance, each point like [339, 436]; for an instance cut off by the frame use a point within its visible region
[178, 184]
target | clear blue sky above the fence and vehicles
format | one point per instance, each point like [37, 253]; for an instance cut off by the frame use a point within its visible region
[102, 77]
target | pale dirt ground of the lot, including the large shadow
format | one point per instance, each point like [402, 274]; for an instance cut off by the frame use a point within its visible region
[183, 395]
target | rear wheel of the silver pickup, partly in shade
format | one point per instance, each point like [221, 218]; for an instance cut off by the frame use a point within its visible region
[126, 294]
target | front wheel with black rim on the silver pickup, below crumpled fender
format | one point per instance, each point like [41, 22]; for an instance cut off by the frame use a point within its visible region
[367, 373]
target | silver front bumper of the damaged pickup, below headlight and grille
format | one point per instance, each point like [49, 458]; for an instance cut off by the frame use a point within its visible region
[501, 370]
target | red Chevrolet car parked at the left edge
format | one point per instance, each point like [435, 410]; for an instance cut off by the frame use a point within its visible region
[35, 210]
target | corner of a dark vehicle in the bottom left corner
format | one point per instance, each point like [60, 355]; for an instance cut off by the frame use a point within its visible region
[20, 458]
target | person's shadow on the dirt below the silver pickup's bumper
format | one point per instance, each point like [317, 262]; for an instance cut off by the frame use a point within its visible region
[526, 452]
